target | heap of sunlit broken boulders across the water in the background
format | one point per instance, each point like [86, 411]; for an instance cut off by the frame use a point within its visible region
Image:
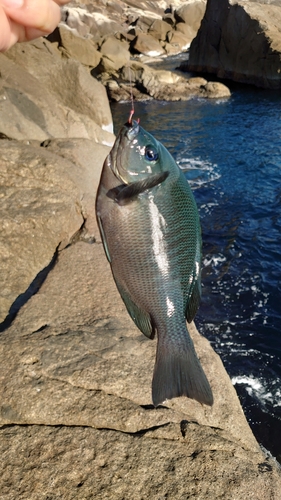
[118, 47]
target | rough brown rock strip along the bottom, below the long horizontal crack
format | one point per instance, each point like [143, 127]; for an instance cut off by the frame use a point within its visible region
[83, 463]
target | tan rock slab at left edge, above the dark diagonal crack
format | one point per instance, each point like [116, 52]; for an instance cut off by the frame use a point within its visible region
[38, 213]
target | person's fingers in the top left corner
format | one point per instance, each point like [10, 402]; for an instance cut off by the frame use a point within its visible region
[24, 20]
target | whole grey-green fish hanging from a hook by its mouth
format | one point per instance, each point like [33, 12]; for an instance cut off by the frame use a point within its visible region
[150, 229]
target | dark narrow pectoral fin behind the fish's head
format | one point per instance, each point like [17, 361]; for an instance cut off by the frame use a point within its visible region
[128, 192]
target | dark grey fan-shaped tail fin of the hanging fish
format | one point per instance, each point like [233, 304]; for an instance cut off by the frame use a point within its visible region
[178, 372]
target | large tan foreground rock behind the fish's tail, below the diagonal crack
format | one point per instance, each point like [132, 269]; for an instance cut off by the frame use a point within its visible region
[76, 375]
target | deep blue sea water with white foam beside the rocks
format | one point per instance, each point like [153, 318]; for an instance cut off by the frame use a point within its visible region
[231, 153]
